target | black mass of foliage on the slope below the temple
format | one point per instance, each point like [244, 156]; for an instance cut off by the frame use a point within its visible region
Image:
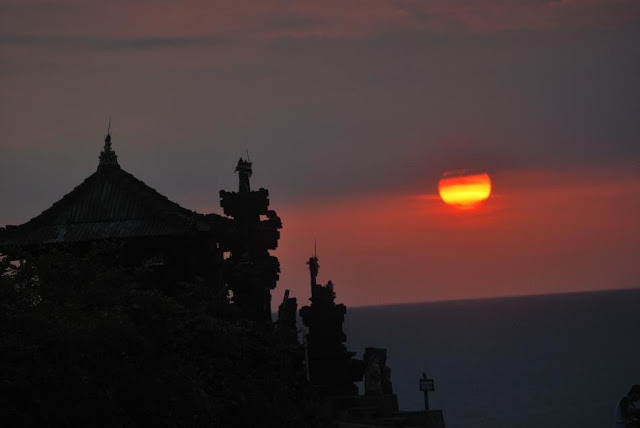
[84, 343]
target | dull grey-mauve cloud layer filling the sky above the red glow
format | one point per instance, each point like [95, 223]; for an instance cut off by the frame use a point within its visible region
[328, 100]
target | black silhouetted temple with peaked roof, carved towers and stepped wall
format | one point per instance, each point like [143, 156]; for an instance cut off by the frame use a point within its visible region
[231, 254]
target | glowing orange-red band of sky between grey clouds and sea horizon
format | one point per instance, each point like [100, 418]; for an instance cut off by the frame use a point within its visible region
[563, 230]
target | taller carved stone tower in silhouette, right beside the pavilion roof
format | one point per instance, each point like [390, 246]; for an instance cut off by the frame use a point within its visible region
[250, 272]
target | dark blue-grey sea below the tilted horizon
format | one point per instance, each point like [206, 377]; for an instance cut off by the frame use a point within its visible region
[541, 361]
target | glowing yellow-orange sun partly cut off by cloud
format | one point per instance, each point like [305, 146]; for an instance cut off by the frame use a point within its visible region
[464, 190]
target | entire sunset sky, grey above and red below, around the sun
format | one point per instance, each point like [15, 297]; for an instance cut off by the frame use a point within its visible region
[351, 111]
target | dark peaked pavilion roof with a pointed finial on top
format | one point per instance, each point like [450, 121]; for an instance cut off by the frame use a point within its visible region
[110, 204]
